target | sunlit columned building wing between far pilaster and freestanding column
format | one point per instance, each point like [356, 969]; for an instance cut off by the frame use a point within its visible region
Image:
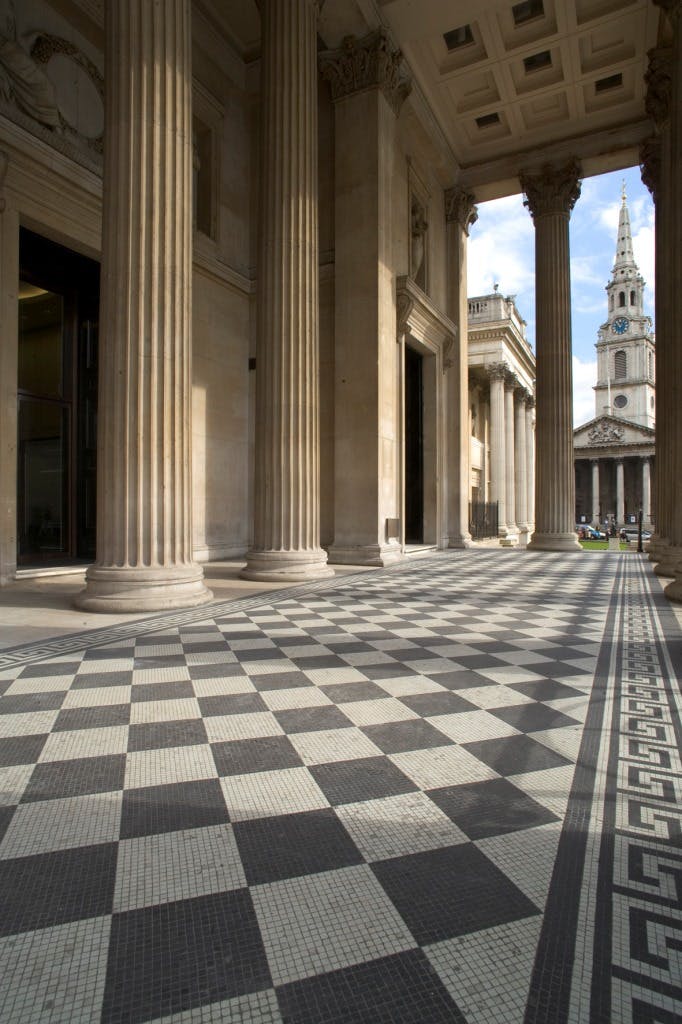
[502, 379]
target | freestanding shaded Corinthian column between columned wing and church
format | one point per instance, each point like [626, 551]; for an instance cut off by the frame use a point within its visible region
[550, 196]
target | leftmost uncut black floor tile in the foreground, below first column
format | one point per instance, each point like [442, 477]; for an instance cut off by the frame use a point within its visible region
[60, 780]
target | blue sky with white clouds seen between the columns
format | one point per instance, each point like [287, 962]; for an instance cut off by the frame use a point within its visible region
[502, 249]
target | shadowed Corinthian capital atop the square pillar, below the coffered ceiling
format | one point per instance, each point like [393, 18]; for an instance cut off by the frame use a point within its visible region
[370, 63]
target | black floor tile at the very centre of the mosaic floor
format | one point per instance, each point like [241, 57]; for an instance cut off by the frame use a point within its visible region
[365, 779]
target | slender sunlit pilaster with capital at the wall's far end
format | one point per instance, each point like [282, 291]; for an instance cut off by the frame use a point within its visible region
[460, 216]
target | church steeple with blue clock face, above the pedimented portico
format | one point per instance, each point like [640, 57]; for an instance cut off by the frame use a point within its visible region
[626, 361]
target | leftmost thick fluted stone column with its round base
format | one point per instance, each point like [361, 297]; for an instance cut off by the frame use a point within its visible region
[145, 435]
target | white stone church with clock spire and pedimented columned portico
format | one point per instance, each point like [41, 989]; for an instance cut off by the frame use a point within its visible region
[615, 452]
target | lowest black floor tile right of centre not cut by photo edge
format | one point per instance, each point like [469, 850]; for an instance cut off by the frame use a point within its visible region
[451, 892]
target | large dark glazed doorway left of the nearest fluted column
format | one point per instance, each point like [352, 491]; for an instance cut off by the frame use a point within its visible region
[59, 302]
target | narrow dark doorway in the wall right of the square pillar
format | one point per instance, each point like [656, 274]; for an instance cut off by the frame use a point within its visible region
[414, 448]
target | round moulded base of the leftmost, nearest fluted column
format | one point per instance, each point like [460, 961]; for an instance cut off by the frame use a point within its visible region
[117, 589]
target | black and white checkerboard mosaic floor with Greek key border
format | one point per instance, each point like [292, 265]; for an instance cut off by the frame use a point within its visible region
[450, 792]
